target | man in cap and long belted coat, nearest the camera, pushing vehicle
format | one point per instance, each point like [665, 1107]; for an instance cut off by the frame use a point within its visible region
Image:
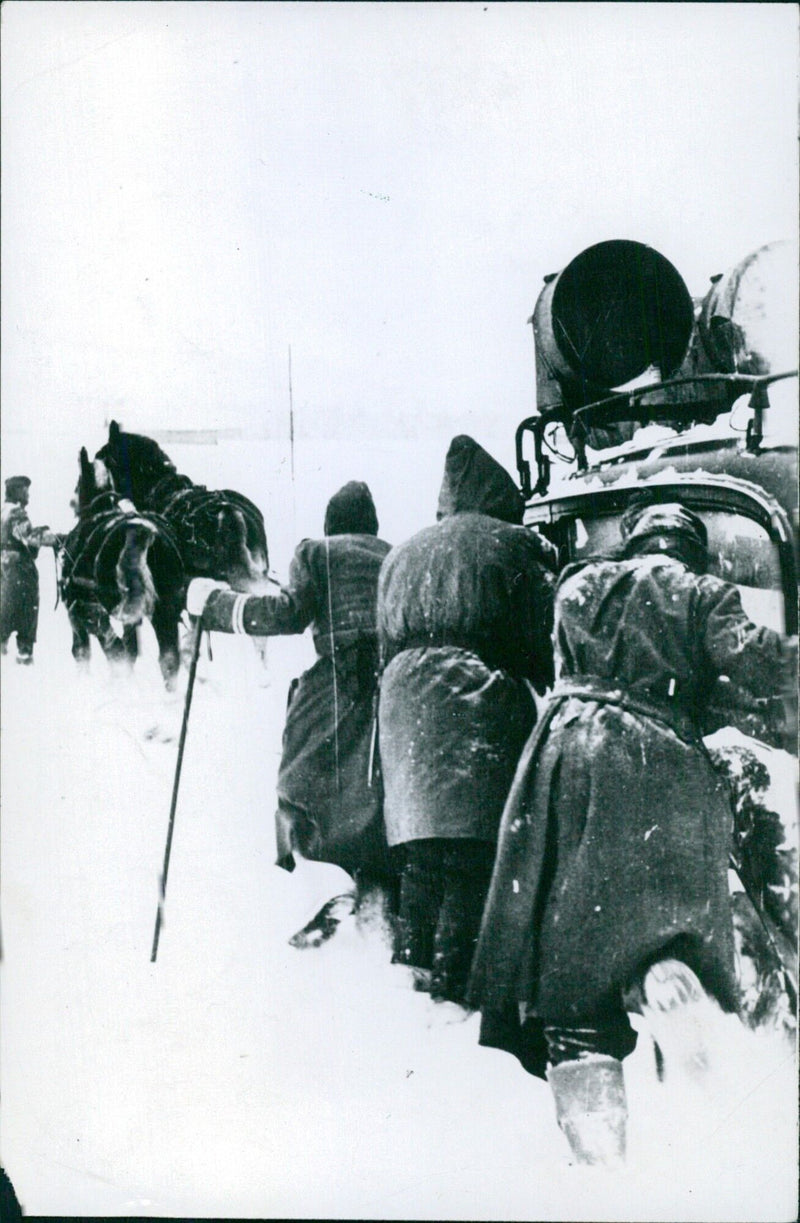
[610, 892]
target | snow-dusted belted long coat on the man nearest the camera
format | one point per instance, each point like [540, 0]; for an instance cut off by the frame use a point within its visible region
[615, 841]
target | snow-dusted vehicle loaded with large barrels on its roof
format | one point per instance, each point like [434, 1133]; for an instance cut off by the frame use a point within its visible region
[640, 387]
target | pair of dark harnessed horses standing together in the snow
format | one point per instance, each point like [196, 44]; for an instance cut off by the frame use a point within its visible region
[144, 533]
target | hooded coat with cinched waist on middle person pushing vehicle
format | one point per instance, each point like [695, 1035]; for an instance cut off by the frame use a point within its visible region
[464, 622]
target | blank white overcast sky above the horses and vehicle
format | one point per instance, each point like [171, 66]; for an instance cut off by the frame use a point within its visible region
[190, 189]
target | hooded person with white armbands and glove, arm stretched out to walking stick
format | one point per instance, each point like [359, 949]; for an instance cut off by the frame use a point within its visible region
[328, 789]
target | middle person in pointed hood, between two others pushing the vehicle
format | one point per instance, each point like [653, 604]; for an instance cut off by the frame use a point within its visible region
[464, 623]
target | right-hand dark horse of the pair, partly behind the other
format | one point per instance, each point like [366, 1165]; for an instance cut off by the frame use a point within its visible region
[220, 534]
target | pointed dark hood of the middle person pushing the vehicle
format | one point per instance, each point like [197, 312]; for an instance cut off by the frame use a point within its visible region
[475, 482]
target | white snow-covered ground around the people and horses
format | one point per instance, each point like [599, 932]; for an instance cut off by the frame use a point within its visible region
[238, 1077]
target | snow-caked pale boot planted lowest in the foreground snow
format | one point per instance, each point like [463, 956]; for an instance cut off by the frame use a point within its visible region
[591, 1107]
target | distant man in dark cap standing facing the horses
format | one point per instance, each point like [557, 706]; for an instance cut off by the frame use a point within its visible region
[20, 545]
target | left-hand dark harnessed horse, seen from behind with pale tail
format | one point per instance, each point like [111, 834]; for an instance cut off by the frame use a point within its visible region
[120, 567]
